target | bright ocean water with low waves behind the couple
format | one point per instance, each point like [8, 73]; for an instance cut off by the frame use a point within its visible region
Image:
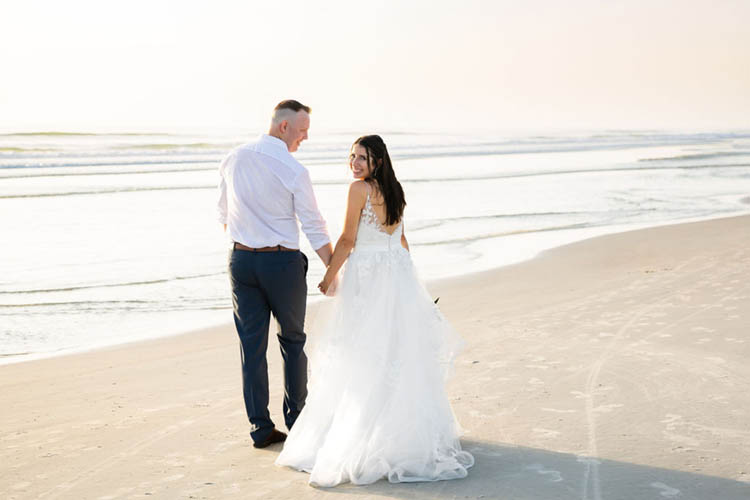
[113, 238]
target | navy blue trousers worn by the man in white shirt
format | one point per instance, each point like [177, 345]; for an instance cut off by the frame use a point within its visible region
[265, 283]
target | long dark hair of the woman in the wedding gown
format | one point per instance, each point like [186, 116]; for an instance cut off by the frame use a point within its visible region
[383, 174]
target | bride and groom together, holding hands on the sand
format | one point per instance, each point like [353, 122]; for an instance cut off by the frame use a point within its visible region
[376, 406]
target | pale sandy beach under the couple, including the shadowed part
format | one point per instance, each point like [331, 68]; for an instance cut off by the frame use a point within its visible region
[610, 368]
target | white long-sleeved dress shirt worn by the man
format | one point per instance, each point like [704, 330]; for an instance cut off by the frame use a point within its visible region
[262, 192]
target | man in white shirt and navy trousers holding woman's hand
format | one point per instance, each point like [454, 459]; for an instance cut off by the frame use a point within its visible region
[263, 191]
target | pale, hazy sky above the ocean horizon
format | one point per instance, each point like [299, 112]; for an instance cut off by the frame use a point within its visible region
[396, 65]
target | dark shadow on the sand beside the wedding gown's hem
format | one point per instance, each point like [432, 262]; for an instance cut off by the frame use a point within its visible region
[517, 473]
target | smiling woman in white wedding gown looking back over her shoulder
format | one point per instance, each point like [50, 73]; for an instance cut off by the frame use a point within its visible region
[377, 405]
